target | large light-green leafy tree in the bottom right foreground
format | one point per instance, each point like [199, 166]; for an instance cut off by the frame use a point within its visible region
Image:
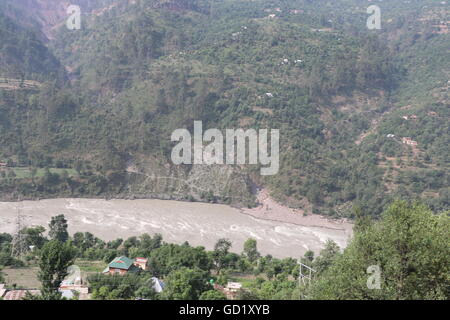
[410, 245]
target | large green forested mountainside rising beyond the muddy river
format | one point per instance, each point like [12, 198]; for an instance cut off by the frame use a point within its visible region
[343, 97]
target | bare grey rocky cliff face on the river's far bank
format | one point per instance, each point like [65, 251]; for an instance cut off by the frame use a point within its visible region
[149, 178]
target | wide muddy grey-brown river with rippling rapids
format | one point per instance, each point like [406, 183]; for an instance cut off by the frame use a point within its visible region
[198, 223]
